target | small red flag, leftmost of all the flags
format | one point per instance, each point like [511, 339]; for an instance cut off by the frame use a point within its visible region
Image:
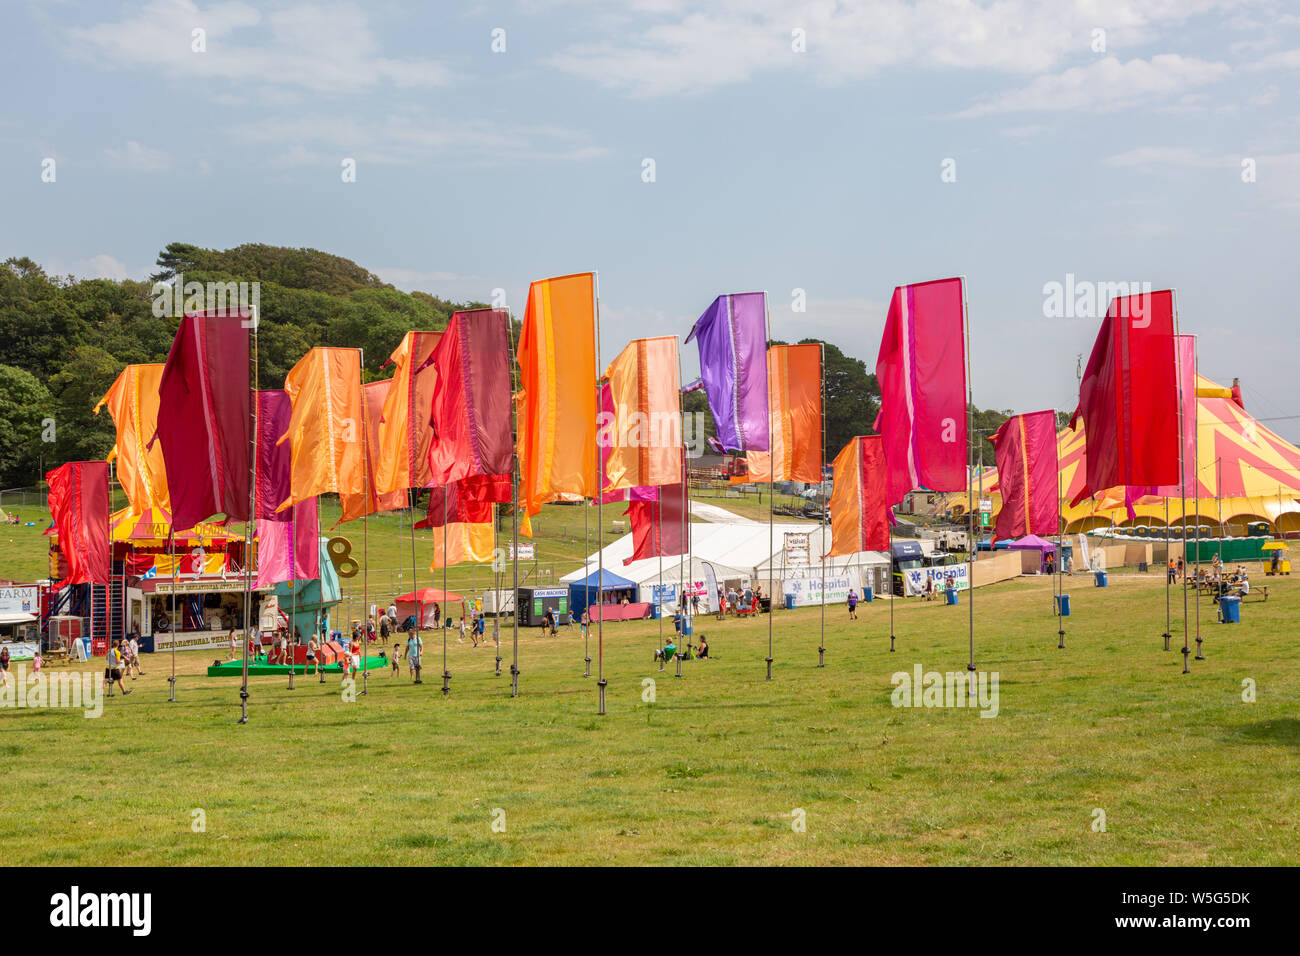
[79, 503]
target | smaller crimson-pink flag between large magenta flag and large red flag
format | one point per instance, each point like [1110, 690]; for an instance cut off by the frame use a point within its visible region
[1028, 470]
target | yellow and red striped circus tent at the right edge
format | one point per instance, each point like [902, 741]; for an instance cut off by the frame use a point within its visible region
[1253, 469]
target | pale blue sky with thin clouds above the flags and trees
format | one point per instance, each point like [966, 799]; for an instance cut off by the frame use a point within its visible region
[775, 168]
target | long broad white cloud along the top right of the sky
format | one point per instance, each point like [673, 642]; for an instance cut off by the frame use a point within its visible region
[669, 49]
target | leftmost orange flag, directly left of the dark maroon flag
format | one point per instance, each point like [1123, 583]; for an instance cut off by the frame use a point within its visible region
[135, 405]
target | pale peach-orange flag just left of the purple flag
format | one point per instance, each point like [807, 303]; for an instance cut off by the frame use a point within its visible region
[645, 432]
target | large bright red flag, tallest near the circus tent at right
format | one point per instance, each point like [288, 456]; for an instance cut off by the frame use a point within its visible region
[1129, 397]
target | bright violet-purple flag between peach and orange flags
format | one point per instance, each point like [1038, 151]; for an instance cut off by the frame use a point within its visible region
[733, 340]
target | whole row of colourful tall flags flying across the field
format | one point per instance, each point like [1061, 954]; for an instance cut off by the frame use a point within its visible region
[194, 439]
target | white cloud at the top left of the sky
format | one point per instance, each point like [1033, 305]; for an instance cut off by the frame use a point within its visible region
[323, 47]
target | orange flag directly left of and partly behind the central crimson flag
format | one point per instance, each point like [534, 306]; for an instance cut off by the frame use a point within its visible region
[405, 431]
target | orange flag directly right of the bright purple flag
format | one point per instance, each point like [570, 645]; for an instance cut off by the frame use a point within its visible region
[795, 388]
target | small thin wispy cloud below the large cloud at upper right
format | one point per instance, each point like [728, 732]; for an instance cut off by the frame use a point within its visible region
[1107, 85]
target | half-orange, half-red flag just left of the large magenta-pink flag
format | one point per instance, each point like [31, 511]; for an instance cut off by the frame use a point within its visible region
[860, 509]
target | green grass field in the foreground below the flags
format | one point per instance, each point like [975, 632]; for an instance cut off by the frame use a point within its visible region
[713, 771]
